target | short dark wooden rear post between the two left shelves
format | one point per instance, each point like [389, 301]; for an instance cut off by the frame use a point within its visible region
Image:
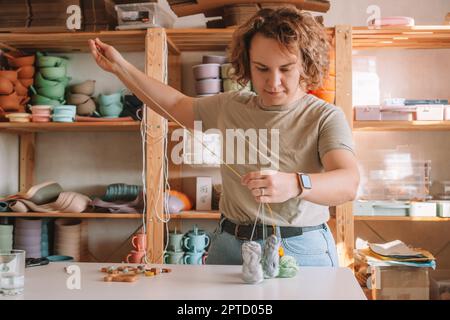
[26, 160]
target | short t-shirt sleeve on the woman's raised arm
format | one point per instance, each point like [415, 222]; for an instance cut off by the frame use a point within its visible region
[207, 110]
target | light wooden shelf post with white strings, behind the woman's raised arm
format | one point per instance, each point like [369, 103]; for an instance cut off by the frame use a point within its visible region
[156, 67]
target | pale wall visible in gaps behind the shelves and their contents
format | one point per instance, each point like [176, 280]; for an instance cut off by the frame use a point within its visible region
[87, 162]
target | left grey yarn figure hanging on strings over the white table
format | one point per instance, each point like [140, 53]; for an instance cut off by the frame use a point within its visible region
[252, 271]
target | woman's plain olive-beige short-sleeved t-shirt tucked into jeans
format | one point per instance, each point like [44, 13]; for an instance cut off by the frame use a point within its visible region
[307, 129]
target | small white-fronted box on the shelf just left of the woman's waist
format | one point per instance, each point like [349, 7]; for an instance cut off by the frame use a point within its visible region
[199, 191]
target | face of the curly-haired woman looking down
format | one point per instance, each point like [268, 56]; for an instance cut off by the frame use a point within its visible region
[275, 72]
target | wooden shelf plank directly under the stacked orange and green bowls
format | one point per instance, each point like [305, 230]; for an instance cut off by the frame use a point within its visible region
[17, 127]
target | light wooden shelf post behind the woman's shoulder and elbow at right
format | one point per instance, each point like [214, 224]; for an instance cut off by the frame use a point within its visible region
[344, 215]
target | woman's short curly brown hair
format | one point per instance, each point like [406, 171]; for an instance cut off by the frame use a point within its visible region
[296, 30]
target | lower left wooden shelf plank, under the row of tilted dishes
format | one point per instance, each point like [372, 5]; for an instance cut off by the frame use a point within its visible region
[72, 215]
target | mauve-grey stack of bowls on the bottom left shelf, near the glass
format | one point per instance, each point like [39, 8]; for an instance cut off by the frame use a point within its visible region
[28, 236]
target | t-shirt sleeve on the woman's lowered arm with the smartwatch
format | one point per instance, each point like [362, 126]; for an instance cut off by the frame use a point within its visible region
[335, 133]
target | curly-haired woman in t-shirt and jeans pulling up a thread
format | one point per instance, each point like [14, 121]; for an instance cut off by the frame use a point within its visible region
[284, 53]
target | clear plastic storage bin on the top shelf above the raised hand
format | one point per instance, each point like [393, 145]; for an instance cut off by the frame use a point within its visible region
[142, 15]
